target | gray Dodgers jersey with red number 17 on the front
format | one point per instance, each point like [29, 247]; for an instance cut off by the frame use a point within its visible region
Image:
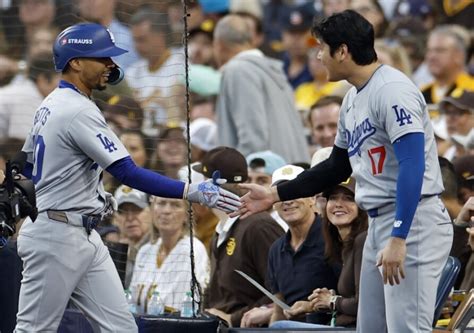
[371, 120]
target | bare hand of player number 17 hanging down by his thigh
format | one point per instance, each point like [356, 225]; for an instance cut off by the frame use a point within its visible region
[392, 260]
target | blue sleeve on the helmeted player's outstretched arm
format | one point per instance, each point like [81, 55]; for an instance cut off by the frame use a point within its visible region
[145, 180]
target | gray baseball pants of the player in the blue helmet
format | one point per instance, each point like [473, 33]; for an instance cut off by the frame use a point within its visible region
[61, 263]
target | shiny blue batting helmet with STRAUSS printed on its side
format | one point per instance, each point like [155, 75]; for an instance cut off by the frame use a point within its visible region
[84, 40]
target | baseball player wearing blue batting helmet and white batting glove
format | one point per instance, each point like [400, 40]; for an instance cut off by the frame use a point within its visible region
[68, 147]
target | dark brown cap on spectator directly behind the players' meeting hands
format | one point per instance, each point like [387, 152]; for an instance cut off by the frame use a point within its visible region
[229, 162]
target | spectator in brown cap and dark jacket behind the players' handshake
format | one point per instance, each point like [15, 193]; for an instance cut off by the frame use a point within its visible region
[241, 244]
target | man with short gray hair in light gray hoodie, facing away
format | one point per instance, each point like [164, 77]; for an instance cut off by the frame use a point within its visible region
[255, 105]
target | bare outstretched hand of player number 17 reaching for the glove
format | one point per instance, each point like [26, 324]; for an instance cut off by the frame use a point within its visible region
[257, 199]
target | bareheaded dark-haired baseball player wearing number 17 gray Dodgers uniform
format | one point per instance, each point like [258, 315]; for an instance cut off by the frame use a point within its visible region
[386, 141]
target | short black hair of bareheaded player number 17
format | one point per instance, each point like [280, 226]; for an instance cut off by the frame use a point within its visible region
[351, 29]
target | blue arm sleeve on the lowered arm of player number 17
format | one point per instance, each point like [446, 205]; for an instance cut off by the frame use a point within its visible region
[409, 150]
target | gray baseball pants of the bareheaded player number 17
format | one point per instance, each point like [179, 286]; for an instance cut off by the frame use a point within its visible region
[407, 307]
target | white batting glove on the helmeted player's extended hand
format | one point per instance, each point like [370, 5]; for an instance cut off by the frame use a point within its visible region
[210, 194]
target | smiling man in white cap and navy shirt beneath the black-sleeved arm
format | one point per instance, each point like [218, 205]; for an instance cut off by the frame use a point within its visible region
[296, 264]
